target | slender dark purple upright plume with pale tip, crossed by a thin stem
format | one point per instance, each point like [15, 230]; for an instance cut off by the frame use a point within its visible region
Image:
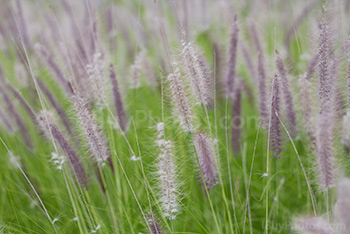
[275, 128]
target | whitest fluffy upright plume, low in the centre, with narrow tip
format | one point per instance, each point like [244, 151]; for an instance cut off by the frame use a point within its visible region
[168, 191]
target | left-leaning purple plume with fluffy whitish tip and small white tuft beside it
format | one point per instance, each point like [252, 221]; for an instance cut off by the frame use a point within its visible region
[52, 132]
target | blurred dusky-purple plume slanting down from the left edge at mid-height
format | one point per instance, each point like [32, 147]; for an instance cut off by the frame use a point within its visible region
[16, 116]
